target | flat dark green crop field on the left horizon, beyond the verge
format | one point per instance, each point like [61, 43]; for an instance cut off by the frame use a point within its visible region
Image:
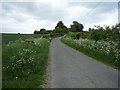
[12, 37]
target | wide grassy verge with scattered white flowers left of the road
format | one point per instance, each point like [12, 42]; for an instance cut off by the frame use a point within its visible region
[24, 63]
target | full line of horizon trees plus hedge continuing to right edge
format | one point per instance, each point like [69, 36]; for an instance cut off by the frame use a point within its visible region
[76, 31]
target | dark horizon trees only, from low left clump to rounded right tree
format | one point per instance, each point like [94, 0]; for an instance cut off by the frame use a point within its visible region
[61, 28]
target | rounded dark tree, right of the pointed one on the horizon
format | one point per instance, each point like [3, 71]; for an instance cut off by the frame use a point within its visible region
[76, 27]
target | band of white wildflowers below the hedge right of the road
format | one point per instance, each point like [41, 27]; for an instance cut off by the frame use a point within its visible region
[106, 47]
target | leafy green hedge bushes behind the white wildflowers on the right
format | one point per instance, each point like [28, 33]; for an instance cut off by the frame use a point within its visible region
[105, 33]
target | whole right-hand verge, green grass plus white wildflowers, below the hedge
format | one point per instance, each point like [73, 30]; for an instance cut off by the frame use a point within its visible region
[102, 51]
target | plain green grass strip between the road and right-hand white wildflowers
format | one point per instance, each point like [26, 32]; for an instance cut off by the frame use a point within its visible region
[101, 57]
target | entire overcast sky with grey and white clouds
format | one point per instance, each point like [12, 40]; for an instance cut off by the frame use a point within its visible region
[25, 17]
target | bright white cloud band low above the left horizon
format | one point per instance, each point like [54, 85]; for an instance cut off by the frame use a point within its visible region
[10, 25]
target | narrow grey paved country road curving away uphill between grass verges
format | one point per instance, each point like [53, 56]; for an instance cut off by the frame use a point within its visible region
[71, 69]
